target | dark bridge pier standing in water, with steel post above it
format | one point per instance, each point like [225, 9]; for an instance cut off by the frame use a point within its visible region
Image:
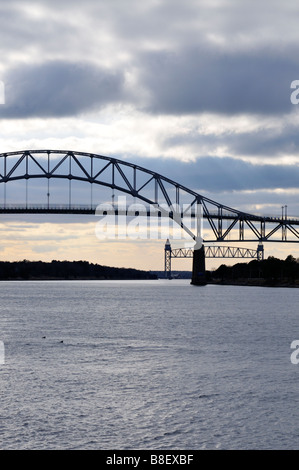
[199, 264]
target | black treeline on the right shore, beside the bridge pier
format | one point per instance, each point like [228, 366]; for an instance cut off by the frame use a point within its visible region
[271, 271]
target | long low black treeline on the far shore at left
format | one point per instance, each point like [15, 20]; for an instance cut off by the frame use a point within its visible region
[67, 270]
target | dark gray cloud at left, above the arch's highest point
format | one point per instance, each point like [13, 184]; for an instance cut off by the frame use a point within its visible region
[57, 88]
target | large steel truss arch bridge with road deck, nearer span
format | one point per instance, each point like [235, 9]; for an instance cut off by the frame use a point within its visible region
[169, 198]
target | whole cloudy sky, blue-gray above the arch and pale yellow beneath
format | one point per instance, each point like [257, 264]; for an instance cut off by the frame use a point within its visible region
[198, 90]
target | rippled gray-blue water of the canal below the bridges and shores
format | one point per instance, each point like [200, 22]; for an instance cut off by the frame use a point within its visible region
[148, 365]
